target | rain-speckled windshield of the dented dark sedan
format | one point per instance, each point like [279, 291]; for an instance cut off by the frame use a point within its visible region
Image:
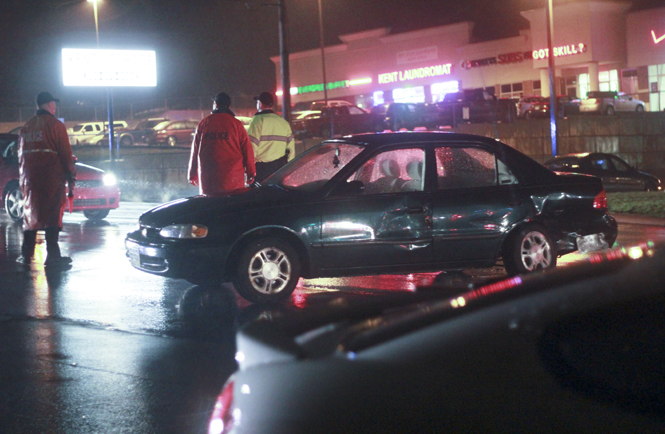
[316, 167]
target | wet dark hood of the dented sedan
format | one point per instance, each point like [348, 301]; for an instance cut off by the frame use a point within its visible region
[241, 200]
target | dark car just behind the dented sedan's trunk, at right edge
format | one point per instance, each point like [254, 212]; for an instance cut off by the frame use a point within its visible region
[617, 175]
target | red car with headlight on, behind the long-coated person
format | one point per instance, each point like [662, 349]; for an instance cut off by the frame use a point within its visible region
[95, 192]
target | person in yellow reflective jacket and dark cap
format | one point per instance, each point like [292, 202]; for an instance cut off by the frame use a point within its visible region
[271, 137]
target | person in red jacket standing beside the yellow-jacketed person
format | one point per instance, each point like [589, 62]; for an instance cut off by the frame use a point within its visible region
[222, 158]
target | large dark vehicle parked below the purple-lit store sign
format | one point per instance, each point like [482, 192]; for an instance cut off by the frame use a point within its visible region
[475, 106]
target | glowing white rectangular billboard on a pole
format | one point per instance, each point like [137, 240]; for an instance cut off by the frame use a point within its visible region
[108, 68]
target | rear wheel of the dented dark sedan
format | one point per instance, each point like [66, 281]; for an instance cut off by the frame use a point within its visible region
[529, 249]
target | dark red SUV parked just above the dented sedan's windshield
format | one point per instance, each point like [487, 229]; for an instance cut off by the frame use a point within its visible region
[340, 120]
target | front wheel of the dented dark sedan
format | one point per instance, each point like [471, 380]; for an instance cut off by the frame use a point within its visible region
[268, 271]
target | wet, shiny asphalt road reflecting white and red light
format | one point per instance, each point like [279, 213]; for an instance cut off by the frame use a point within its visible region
[104, 348]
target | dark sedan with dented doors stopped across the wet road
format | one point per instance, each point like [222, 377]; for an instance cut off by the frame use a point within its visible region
[377, 203]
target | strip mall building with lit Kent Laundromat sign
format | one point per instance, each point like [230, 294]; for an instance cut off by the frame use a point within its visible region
[597, 46]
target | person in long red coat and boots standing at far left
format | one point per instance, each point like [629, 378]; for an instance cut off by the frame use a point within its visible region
[46, 166]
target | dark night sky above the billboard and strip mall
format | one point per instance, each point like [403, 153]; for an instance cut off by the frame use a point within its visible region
[204, 47]
